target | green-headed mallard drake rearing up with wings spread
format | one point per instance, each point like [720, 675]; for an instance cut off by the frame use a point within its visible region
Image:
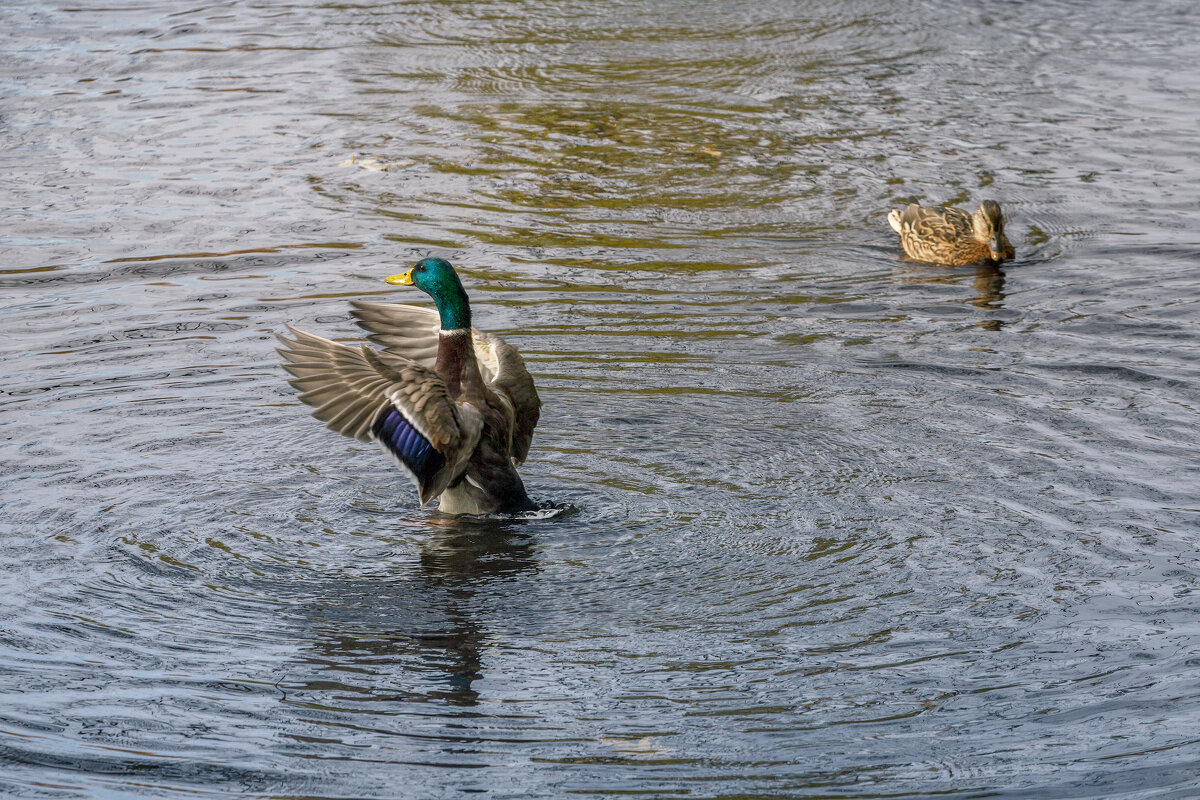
[454, 406]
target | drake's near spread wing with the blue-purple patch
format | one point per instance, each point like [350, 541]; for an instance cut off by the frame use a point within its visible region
[373, 396]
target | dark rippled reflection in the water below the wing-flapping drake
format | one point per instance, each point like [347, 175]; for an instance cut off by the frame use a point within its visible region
[421, 637]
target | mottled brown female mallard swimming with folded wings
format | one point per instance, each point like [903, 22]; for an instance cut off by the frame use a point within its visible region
[952, 237]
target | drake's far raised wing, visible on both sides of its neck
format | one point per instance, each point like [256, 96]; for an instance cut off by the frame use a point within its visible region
[412, 333]
